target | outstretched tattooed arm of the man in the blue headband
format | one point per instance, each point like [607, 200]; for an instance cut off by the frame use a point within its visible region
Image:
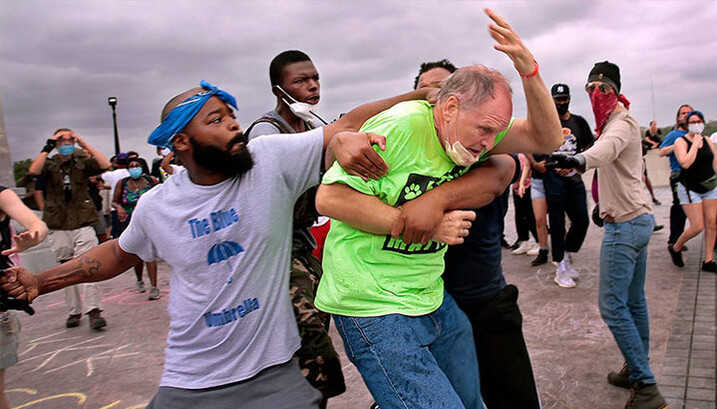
[101, 263]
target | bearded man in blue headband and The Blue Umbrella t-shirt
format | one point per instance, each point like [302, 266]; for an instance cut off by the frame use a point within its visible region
[223, 224]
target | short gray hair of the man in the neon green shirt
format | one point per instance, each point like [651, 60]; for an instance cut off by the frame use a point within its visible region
[473, 85]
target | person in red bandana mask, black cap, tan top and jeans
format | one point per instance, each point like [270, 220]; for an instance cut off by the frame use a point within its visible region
[629, 222]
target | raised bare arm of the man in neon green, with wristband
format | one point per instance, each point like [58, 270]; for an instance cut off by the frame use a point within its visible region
[541, 131]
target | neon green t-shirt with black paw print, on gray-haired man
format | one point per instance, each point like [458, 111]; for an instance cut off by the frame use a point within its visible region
[370, 275]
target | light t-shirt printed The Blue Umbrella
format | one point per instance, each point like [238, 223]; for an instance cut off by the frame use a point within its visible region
[228, 246]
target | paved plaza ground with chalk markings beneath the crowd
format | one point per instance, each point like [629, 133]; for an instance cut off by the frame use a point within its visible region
[571, 348]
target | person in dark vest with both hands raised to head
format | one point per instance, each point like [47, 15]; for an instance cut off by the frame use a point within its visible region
[70, 213]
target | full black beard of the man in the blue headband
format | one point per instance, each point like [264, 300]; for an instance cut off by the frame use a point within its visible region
[223, 160]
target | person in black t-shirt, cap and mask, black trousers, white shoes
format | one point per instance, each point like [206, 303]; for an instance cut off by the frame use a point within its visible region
[565, 191]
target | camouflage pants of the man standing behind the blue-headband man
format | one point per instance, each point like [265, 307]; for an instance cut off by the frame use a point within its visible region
[317, 357]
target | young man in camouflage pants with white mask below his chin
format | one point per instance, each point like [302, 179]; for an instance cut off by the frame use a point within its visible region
[295, 83]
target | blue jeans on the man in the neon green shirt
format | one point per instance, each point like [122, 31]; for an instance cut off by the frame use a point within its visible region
[428, 361]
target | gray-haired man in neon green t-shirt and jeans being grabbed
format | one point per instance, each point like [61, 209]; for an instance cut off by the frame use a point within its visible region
[412, 344]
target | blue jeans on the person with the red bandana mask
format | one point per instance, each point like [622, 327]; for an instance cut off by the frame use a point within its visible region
[623, 266]
